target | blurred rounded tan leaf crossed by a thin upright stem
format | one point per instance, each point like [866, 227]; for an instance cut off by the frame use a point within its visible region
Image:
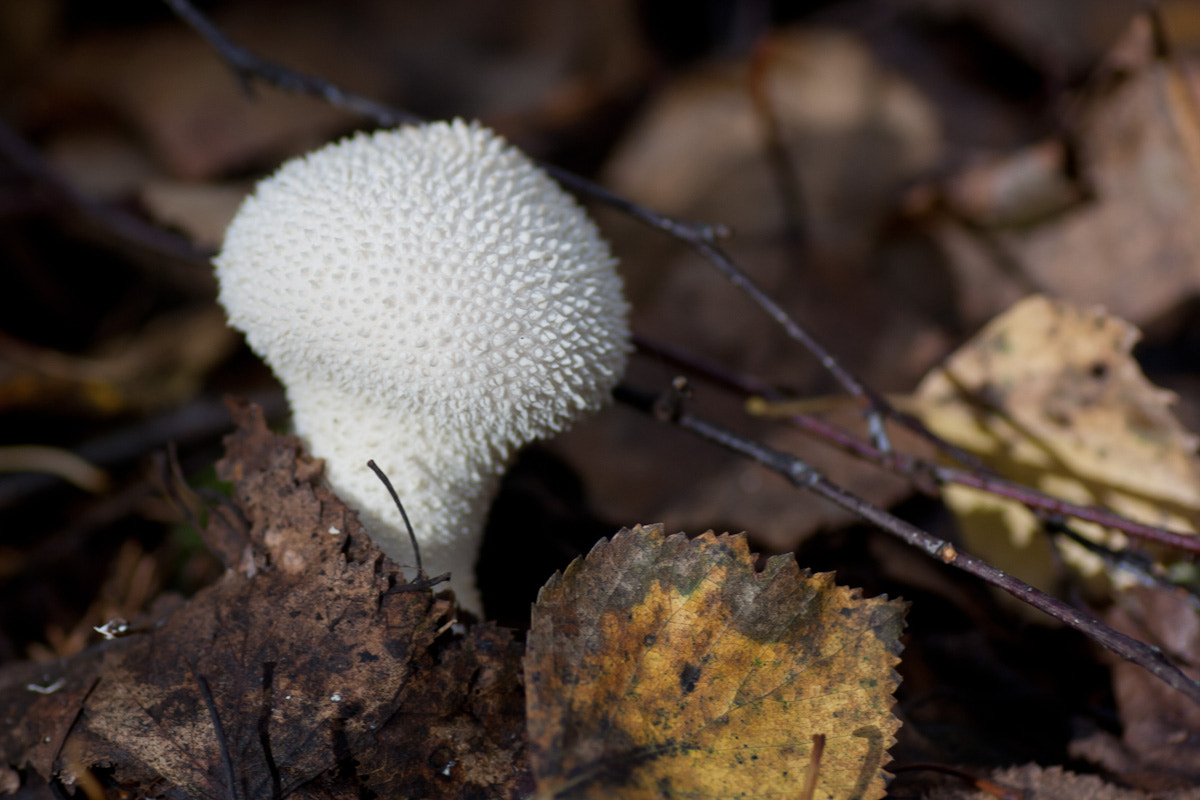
[855, 130]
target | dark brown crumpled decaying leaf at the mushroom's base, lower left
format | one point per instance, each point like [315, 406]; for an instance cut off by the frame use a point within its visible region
[285, 676]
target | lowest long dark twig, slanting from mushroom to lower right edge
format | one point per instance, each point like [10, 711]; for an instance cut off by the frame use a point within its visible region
[802, 476]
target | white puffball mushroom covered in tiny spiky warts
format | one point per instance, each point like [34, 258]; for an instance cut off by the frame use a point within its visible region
[430, 300]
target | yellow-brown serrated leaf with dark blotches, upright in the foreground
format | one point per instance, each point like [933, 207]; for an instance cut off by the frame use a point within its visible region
[662, 667]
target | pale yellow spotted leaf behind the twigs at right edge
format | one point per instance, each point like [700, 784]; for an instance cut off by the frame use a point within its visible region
[1049, 395]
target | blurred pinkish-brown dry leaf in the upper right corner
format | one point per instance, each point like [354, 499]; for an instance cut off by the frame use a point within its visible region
[1135, 248]
